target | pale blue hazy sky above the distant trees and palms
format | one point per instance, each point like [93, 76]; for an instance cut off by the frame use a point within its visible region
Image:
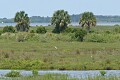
[8, 8]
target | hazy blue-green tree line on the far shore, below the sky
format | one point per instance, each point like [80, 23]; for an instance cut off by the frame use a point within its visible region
[74, 18]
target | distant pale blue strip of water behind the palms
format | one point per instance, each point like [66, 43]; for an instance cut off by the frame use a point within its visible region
[46, 24]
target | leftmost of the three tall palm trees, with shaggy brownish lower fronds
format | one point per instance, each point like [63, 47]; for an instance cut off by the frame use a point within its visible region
[22, 20]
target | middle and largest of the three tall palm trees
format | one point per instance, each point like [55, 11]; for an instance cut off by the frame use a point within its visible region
[60, 20]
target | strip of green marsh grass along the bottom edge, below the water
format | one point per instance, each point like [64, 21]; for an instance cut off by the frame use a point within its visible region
[60, 77]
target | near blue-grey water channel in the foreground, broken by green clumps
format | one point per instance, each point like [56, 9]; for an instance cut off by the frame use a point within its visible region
[72, 74]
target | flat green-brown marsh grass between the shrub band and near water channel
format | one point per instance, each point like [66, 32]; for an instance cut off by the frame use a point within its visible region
[67, 56]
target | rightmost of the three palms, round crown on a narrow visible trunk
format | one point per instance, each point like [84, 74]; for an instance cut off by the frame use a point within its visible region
[88, 19]
